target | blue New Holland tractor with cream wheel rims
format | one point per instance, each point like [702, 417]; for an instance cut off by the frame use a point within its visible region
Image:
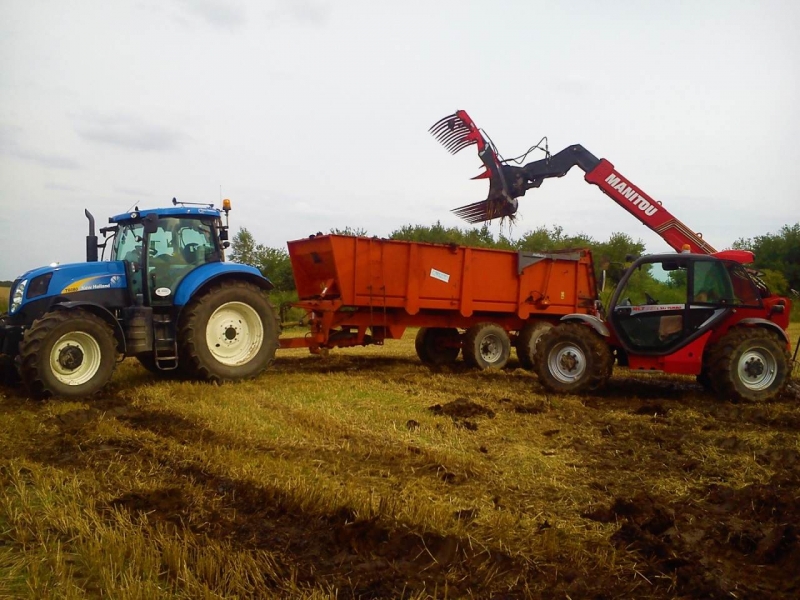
[165, 295]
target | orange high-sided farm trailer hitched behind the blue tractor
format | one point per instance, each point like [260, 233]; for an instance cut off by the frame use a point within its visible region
[358, 291]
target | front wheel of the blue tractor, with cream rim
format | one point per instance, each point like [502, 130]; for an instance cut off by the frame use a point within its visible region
[69, 353]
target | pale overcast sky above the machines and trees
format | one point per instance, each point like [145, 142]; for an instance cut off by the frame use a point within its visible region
[313, 114]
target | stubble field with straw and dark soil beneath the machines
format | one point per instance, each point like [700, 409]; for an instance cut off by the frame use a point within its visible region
[364, 474]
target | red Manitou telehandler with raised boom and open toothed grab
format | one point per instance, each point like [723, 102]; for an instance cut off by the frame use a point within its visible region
[697, 311]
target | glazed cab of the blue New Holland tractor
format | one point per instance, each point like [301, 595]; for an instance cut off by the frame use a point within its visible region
[161, 247]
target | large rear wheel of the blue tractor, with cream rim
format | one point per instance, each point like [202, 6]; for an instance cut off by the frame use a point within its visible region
[228, 333]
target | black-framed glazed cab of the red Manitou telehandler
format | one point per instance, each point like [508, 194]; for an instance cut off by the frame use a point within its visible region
[666, 301]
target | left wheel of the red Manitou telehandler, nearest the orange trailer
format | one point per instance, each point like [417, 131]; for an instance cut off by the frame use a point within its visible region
[573, 358]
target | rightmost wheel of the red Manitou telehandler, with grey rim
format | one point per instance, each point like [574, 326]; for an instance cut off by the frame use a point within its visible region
[748, 363]
